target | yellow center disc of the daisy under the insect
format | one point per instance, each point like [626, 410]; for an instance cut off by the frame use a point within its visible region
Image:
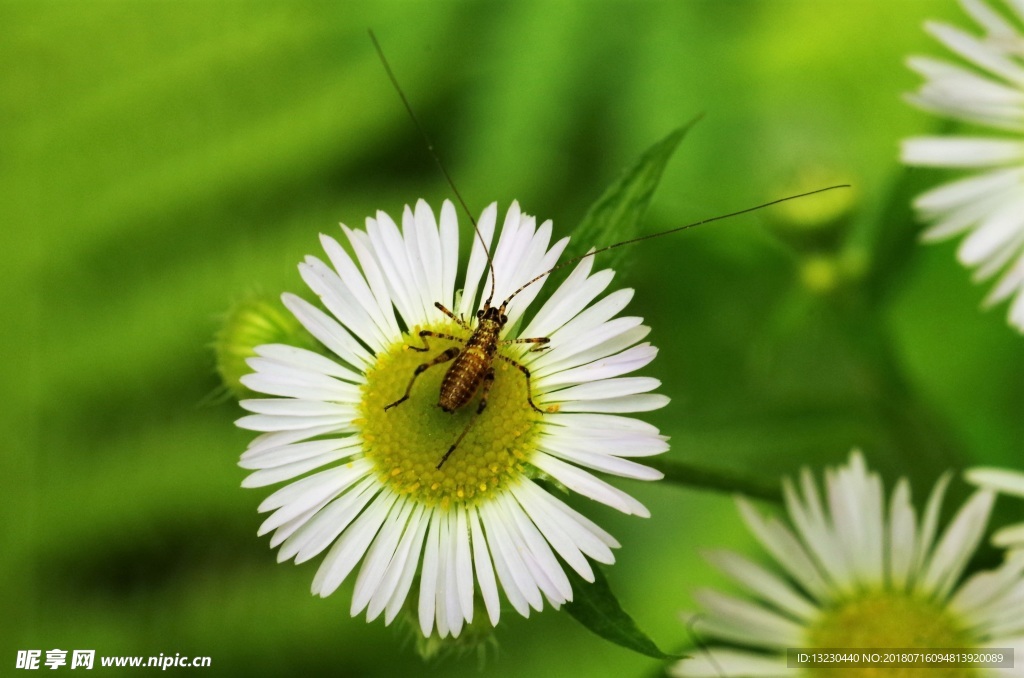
[408, 442]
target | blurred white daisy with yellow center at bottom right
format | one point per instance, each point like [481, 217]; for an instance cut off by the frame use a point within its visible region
[852, 573]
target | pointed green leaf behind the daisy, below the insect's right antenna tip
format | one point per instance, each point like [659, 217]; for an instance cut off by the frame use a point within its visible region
[616, 216]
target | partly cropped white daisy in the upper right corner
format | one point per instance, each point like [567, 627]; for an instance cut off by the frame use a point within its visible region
[989, 204]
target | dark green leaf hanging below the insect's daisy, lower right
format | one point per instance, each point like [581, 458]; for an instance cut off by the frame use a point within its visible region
[596, 608]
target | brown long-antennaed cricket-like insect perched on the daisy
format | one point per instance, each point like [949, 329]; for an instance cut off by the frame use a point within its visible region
[473, 369]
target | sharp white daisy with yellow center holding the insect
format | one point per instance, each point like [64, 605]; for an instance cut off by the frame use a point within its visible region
[364, 484]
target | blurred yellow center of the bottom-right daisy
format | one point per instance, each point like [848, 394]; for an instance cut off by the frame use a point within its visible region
[889, 619]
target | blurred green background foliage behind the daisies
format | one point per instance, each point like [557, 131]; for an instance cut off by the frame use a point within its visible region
[161, 160]
